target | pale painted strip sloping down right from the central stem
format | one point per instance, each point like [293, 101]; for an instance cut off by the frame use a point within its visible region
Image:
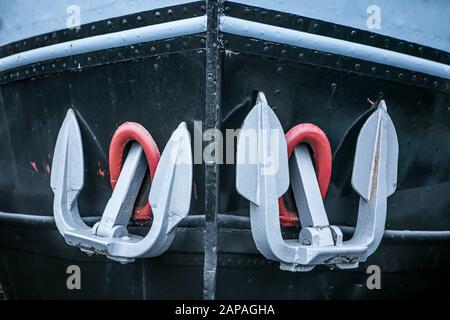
[316, 42]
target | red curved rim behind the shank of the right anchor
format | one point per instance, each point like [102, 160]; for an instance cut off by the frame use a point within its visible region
[318, 141]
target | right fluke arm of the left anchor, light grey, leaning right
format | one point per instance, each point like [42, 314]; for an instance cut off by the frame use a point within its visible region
[170, 197]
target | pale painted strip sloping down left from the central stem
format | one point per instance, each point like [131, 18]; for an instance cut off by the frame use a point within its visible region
[111, 40]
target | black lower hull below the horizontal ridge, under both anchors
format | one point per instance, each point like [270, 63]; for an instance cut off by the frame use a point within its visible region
[241, 273]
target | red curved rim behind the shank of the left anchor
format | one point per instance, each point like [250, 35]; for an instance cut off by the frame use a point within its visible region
[127, 132]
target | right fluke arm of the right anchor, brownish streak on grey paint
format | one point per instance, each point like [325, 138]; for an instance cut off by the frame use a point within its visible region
[374, 179]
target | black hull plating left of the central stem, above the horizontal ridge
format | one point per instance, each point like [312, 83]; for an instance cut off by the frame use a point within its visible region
[104, 97]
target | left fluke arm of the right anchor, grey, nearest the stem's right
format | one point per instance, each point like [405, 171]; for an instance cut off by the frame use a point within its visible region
[265, 160]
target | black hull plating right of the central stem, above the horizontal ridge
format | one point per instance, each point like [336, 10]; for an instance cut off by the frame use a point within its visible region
[334, 100]
